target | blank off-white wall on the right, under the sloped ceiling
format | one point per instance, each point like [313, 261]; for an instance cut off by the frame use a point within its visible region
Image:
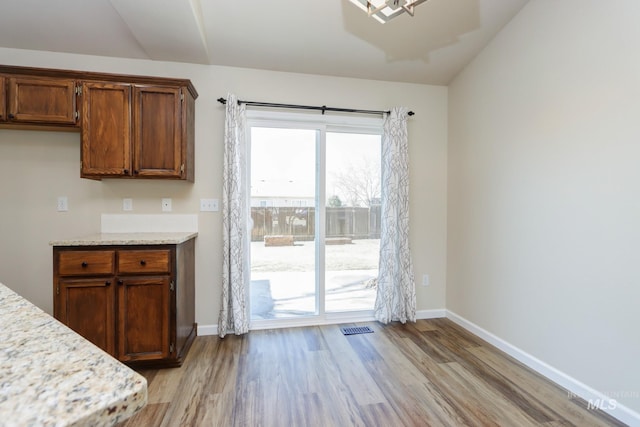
[544, 190]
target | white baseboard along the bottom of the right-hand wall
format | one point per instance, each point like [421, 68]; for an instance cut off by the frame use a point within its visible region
[615, 409]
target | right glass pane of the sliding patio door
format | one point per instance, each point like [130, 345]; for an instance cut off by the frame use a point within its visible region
[352, 213]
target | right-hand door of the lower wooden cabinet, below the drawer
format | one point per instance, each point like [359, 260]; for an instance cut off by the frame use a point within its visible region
[143, 327]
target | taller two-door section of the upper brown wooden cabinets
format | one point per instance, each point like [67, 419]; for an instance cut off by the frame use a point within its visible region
[140, 131]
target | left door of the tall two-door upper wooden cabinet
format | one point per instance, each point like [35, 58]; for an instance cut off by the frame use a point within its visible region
[106, 129]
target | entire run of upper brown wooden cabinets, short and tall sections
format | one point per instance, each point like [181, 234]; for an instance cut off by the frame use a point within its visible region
[131, 126]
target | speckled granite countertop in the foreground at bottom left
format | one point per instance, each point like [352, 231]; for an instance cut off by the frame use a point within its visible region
[51, 376]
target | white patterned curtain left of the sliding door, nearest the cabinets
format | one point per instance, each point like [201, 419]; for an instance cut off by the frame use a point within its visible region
[233, 311]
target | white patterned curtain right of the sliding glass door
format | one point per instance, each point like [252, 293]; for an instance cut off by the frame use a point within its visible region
[396, 291]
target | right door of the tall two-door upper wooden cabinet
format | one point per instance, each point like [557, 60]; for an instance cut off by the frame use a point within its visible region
[158, 150]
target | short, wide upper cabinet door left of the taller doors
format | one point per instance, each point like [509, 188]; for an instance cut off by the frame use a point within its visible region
[44, 100]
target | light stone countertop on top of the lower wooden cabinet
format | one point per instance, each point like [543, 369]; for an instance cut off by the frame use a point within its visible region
[150, 238]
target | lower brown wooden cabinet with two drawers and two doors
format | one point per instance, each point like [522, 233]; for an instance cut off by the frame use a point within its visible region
[137, 303]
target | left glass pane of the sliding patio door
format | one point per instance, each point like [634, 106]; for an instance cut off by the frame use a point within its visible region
[283, 200]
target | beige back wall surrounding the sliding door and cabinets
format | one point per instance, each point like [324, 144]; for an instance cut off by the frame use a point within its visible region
[38, 166]
